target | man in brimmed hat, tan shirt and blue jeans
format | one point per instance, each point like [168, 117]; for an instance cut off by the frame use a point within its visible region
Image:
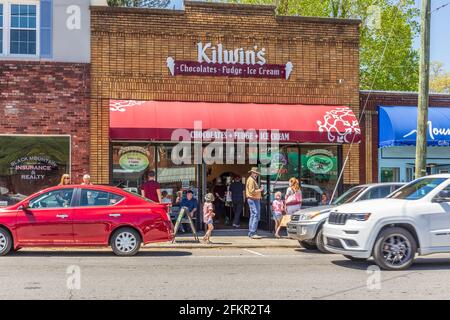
[253, 193]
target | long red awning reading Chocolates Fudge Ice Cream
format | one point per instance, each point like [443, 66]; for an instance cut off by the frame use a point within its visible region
[157, 120]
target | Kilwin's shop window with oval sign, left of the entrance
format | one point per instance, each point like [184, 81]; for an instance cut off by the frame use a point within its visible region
[130, 163]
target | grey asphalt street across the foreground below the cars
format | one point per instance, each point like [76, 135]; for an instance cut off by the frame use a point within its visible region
[214, 273]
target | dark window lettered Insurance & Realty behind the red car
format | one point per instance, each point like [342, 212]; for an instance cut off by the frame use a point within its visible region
[31, 163]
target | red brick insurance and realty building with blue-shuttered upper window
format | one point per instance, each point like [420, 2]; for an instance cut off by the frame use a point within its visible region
[44, 100]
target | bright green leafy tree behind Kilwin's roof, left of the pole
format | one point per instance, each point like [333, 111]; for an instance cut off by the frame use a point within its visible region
[388, 59]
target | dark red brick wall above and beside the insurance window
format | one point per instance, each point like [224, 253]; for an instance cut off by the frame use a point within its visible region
[47, 98]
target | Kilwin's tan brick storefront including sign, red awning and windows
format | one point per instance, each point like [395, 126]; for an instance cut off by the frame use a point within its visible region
[215, 72]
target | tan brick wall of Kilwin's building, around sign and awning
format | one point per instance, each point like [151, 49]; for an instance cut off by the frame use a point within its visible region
[130, 48]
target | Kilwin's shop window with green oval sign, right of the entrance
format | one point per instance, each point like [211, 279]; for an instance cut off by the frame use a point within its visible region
[319, 173]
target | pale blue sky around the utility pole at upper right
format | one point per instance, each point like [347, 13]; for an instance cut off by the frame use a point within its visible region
[440, 32]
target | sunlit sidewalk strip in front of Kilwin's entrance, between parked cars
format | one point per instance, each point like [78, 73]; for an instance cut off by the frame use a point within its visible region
[228, 239]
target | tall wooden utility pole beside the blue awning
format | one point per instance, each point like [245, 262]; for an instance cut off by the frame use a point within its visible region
[424, 87]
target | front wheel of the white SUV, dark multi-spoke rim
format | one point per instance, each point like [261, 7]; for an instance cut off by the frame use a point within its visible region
[395, 249]
